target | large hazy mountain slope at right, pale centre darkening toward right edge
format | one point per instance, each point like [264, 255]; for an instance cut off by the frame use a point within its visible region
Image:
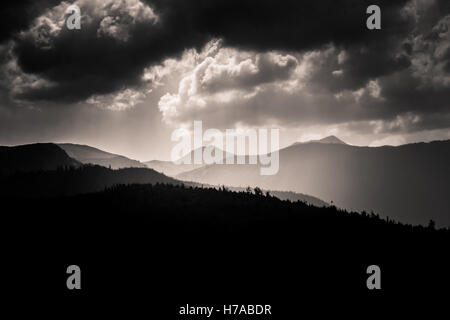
[409, 183]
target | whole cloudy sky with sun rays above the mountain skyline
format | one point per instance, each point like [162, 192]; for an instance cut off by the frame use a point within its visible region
[138, 70]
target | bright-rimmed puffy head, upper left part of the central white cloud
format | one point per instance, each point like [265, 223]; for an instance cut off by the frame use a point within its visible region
[224, 76]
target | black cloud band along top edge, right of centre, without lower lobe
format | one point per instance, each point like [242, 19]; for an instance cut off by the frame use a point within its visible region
[284, 25]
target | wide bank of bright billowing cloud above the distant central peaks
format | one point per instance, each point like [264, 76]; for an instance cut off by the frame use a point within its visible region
[232, 88]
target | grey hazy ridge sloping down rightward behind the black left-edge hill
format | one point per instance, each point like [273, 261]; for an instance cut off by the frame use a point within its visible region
[86, 154]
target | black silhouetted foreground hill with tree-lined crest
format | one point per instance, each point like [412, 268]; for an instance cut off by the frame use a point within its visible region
[194, 243]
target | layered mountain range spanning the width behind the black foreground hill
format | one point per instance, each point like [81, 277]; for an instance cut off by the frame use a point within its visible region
[408, 183]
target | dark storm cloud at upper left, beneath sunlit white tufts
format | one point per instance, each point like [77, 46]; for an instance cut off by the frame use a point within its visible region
[84, 62]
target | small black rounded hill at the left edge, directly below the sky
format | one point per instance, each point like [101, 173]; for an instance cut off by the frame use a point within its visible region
[32, 157]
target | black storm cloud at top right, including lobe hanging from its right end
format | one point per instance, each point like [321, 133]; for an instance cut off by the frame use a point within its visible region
[294, 25]
